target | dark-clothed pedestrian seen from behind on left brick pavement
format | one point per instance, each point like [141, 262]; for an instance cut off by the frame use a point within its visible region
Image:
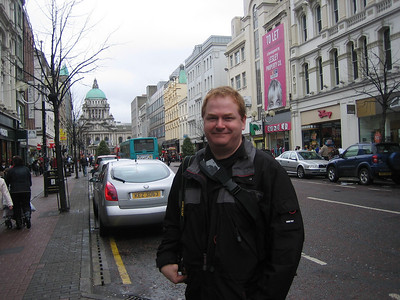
[19, 180]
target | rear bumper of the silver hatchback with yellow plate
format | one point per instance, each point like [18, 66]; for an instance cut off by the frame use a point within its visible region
[115, 216]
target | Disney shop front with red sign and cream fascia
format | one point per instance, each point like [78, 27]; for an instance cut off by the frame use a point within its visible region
[320, 125]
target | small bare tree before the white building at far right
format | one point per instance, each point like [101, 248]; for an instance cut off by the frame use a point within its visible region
[381, 83]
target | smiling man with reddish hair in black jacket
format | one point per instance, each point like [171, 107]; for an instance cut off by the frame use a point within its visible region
[239, 237]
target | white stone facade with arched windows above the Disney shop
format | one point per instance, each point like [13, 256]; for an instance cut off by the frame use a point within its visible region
[344, 56]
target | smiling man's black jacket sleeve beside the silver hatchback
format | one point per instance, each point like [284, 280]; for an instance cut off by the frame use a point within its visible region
[169, 249]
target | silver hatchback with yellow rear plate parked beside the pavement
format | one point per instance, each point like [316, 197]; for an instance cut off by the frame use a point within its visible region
[132, 192]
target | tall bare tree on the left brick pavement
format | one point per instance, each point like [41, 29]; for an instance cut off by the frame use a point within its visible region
[64, 51]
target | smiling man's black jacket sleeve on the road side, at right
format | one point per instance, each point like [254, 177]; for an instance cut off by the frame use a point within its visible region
[284, 238]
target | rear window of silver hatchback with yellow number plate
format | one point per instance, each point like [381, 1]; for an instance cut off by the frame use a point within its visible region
[140, 172]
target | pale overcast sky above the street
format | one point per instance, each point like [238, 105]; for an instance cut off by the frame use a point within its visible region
[150, 40]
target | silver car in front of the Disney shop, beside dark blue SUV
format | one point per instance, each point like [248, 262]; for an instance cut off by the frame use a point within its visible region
[303, 163]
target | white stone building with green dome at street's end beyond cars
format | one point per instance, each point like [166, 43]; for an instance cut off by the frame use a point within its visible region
[98, 124]
